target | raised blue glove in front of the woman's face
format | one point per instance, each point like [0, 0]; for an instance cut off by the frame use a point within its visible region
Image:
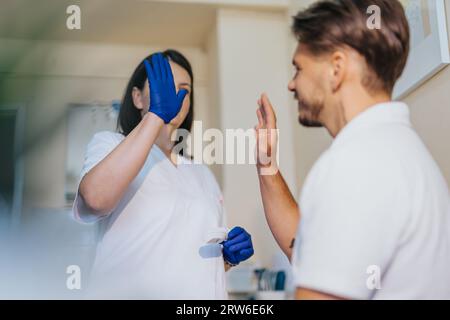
[164, 100]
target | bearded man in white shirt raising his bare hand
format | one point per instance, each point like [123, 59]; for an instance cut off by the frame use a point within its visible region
[373, 220]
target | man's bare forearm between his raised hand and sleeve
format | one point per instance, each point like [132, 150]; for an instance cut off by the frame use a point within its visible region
[281, 210]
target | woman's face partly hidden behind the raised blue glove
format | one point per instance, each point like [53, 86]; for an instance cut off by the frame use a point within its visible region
[182, 80]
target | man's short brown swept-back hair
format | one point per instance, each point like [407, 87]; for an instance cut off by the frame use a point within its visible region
[329, 24]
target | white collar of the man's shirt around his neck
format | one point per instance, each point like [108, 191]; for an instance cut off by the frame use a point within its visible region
[377, 115]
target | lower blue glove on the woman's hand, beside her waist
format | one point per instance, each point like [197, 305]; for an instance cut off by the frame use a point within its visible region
[238, 247]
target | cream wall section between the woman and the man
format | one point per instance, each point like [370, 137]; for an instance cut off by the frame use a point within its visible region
[252, 51]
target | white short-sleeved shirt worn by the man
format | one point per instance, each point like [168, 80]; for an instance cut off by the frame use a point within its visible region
[375, 201]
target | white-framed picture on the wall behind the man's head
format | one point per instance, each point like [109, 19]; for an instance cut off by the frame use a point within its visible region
[429, 52]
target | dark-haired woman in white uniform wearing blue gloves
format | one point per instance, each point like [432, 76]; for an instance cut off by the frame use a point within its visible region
[157, 209]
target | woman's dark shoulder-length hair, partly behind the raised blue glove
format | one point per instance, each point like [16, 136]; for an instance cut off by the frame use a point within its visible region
[129, 115]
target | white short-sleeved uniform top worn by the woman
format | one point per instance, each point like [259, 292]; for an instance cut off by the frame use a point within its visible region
[153, 244]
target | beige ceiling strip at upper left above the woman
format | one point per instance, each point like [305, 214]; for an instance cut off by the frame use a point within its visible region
[134, 22]
